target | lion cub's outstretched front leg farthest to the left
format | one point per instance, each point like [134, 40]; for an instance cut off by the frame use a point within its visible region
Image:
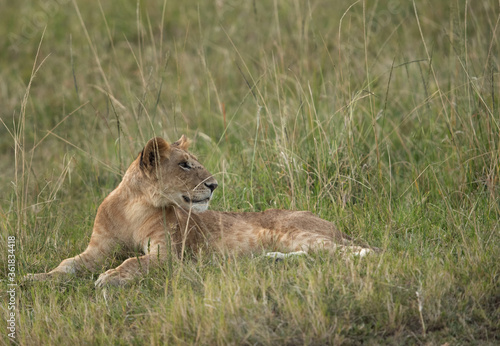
[98, 251]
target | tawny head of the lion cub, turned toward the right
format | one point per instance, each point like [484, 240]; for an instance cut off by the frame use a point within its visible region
[168, 175]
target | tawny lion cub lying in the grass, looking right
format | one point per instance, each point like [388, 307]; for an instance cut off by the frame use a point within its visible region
[161, 206]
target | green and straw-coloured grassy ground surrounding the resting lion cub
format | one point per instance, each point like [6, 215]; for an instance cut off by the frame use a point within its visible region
[381, 116]
